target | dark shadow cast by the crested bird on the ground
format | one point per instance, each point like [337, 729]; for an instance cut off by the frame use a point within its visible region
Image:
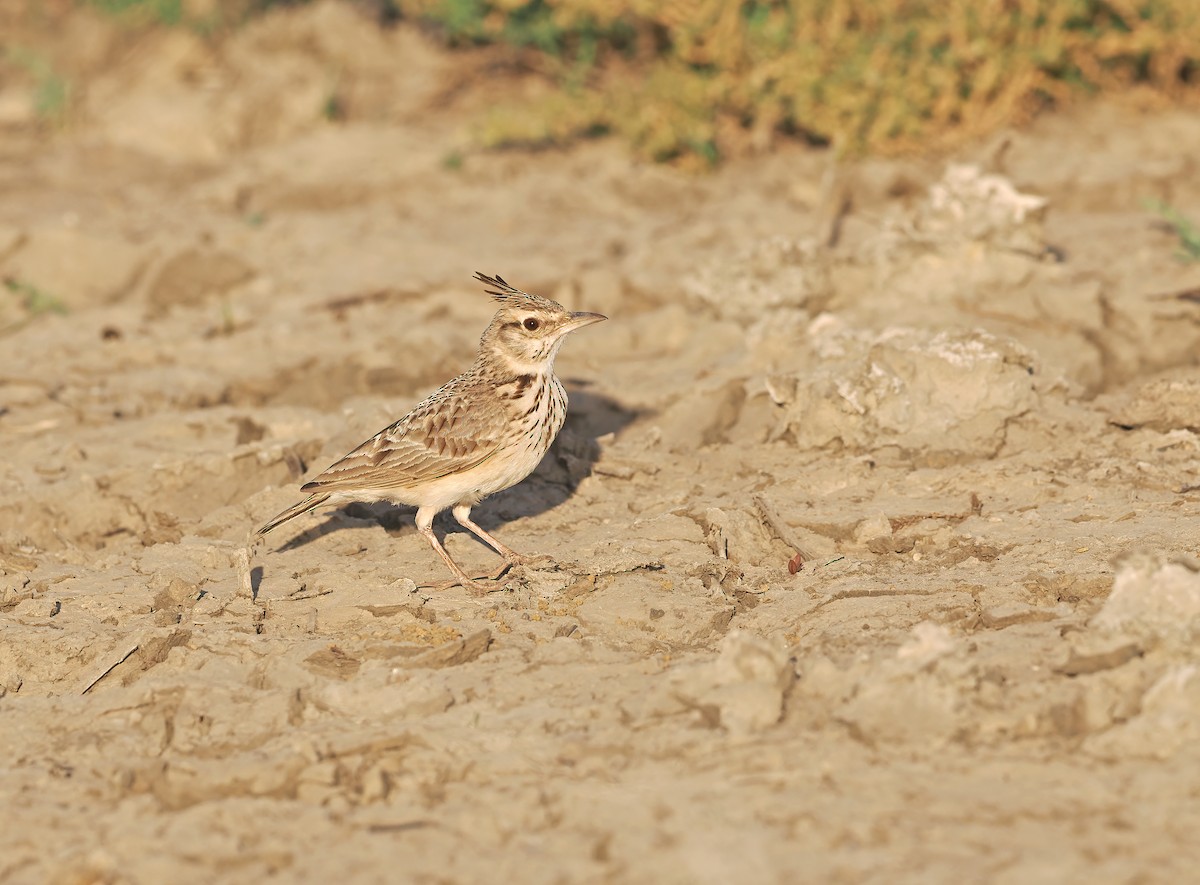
[590, 418]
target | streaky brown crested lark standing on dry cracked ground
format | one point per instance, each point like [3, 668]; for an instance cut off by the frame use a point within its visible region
[478, 435]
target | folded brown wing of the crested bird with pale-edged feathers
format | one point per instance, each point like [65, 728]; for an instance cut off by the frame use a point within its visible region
[442, 436]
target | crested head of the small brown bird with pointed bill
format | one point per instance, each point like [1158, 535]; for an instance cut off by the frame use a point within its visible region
[529, 329]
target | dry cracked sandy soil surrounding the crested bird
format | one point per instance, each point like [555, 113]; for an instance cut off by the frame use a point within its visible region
[969, 394]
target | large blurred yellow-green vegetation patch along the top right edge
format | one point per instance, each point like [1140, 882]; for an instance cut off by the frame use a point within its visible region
[700, 80]
